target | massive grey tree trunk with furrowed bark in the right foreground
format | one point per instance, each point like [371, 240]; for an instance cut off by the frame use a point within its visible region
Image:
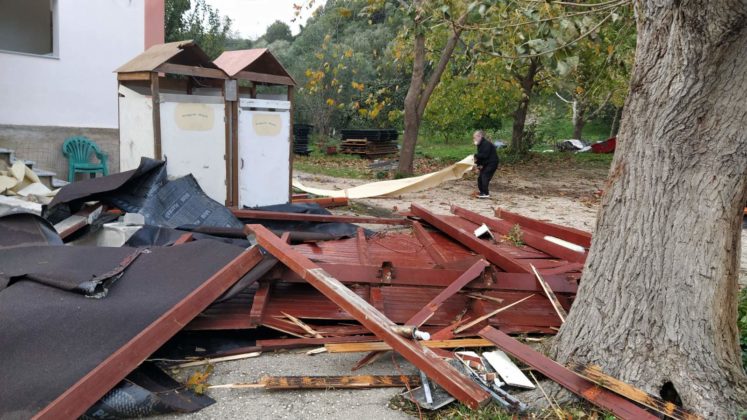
[657, 304]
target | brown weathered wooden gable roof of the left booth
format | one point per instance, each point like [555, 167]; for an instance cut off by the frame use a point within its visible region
[179, 53]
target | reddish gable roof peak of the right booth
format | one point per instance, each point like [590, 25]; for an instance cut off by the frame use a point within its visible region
[257, 65]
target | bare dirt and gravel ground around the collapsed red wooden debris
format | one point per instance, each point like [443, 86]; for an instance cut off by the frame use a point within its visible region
[567, 196]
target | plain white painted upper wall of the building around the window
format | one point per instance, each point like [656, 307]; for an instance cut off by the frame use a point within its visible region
[78, 88]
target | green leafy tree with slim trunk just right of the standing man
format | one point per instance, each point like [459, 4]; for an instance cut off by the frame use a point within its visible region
[536, 44]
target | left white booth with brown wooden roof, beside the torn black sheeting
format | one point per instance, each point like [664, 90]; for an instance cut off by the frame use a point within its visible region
[182, 120]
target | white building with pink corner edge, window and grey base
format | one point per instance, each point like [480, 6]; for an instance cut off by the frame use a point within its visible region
[57, 62]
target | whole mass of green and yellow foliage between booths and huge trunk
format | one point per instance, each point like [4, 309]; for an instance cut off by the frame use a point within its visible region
[353, 63]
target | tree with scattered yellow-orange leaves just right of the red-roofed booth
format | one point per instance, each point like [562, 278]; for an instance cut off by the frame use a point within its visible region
[342, 60]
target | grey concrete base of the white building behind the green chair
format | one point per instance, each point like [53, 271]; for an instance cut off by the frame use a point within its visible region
[43, 144]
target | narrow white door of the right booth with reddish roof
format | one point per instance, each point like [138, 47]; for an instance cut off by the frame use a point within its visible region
[264, 152]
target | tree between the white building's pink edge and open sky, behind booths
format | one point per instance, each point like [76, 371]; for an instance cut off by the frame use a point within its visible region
[198, 21]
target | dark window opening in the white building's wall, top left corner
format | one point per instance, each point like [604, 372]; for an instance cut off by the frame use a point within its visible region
[28, 26]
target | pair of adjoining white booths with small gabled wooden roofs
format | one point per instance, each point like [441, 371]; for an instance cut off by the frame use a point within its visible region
[175, 104]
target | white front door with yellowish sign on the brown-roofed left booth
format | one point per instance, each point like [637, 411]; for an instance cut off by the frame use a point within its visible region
[193, 141]
